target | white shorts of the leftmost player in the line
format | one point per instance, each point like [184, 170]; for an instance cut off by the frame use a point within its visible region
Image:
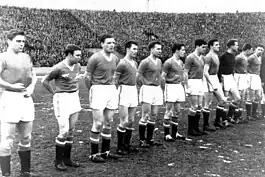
[14, 107]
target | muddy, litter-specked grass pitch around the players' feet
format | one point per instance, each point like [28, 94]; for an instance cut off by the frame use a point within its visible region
[234, 152]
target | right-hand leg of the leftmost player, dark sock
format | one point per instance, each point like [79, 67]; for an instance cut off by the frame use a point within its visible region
[24, 146]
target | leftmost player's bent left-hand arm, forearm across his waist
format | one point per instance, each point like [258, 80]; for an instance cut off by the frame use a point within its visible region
[18, 87]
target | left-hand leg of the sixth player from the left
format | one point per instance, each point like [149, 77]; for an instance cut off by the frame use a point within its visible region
[167, 119]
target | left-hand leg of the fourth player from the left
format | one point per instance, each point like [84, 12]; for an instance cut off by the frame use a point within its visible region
[121, 129]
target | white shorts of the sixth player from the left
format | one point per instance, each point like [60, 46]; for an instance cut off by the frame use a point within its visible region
[174, 93]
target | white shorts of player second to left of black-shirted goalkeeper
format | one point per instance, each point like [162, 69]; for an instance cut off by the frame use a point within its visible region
[195, 87]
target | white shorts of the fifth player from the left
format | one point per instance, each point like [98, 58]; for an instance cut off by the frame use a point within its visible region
[151, 94]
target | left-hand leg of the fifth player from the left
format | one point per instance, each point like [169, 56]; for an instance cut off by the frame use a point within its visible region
[146, 113]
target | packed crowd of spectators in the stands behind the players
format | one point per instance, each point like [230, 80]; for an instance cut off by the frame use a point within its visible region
[49, 30]
